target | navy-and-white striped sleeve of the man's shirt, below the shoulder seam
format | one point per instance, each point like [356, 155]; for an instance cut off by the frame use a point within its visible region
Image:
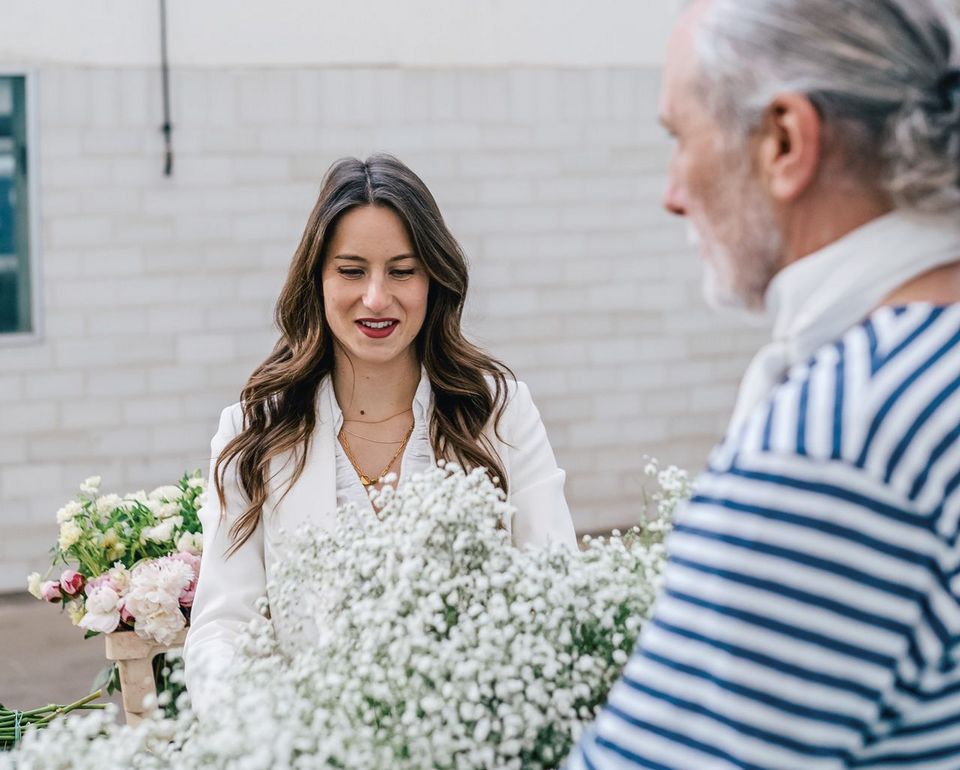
[799, 612]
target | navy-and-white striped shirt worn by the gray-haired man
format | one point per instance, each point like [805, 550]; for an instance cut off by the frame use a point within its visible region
[811, 614]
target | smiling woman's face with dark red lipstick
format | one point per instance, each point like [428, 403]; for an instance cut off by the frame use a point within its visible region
[374, 286]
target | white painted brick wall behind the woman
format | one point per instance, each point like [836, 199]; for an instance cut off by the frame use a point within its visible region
[158, 293]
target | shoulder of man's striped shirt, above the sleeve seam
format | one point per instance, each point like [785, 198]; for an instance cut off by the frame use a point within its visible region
[884, 398]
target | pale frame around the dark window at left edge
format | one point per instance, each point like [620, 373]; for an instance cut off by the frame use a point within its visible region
[34, 262]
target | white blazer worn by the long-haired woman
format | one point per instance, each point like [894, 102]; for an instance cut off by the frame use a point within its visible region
[229, 588]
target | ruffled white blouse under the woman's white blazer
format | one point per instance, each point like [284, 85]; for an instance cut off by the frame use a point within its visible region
[417, 455]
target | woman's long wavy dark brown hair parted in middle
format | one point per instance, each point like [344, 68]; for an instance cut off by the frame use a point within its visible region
[279, 399]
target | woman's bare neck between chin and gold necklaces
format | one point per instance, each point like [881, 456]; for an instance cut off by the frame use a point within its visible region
[373, 392]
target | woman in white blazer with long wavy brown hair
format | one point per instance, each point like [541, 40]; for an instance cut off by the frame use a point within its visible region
[371, 376]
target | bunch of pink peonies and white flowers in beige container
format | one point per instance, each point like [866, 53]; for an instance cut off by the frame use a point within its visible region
[128, 563]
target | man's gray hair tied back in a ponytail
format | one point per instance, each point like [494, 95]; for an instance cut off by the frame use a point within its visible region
[884, 75]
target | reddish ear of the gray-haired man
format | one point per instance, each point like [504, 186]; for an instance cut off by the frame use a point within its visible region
[790, 146]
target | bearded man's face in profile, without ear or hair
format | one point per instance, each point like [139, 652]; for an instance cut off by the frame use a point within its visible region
[712, 183]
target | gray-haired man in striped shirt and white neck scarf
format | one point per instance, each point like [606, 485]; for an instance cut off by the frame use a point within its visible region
[811, 615]
